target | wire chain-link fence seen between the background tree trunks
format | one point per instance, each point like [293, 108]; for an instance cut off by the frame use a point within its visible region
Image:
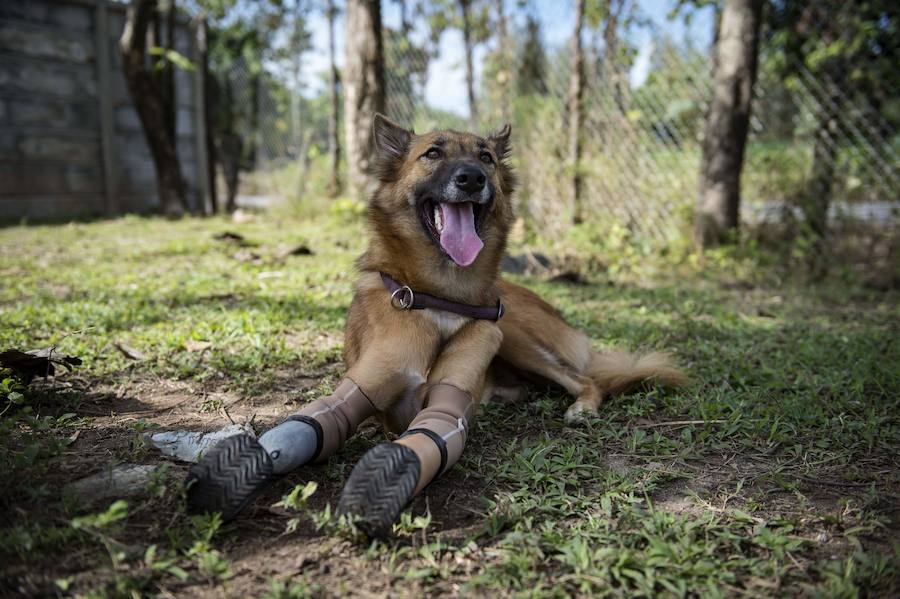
[641, 140]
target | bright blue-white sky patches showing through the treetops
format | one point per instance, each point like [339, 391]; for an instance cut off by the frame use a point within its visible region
[446, 82]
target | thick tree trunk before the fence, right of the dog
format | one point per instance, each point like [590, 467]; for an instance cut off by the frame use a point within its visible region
[727, 123]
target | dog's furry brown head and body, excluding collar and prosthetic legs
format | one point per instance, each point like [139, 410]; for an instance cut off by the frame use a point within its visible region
[395, 355]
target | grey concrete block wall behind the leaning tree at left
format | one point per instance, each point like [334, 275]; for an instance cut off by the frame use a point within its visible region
[71, 143]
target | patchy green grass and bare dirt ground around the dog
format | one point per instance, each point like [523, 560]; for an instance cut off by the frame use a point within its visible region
[775, 474]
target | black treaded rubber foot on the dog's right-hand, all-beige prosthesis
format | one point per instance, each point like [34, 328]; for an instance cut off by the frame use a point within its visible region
[380, 486]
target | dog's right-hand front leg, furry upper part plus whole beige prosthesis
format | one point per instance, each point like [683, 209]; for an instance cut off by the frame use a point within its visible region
[391, 474]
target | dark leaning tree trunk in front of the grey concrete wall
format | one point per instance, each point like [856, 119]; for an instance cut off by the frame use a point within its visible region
[150, 104]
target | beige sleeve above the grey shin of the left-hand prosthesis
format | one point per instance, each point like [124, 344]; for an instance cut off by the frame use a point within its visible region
[336, 417]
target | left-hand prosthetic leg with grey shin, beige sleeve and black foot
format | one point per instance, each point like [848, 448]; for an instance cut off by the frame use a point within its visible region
[232, 473]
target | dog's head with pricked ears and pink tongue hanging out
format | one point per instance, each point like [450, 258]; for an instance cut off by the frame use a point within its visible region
[444, 192]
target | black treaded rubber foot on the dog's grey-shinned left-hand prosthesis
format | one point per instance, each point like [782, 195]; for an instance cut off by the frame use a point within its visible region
[229, 476]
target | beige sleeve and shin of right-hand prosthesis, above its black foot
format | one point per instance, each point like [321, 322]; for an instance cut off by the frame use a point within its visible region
[438, 434]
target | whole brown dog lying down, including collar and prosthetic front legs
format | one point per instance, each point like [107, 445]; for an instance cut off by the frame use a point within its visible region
[427, 335]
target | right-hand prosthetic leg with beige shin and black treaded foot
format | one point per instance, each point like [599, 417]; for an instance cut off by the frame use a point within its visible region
[391, 474]
